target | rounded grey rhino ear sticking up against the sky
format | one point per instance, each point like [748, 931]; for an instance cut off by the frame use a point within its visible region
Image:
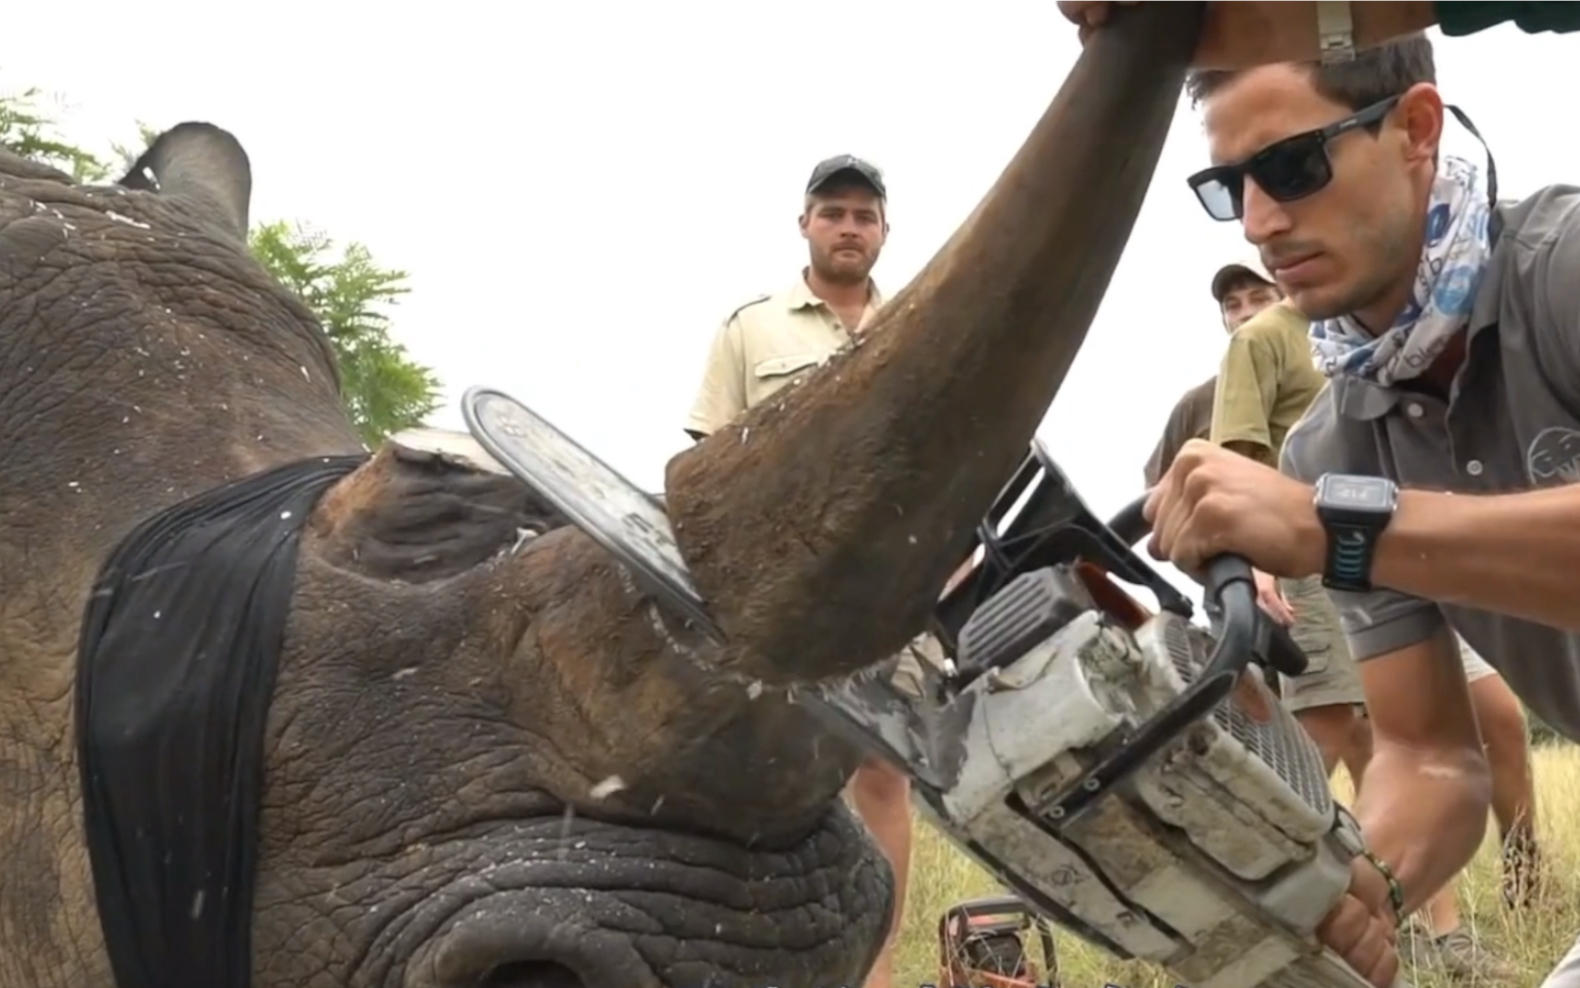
[205, 165]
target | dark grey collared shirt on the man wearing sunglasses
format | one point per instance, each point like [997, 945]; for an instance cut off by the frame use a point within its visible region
[1513, 423]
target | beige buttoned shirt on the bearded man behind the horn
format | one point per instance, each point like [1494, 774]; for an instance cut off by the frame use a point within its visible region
[764, 347]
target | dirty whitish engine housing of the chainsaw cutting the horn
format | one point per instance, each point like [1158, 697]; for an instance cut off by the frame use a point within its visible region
[1217, 858]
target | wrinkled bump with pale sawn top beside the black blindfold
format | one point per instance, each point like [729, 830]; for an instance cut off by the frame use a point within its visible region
[426, 515]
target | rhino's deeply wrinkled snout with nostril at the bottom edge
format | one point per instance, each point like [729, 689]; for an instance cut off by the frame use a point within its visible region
[555, 905]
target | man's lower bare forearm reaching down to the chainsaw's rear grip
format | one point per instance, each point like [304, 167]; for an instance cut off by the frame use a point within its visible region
[1409, 794]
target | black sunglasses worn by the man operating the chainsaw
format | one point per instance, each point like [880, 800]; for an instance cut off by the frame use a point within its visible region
[1287, 170]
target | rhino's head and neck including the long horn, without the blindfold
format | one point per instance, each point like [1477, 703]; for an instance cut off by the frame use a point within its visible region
[494, 760]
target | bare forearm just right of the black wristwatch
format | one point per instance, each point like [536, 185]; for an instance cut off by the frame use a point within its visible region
[1508, 554]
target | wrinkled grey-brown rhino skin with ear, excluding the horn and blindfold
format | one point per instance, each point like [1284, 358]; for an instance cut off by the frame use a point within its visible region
[442, 698]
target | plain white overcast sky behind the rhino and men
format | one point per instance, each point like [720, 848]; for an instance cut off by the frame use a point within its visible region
[581, 194]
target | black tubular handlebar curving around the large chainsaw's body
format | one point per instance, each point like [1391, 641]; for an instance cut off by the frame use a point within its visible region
[1244, 636]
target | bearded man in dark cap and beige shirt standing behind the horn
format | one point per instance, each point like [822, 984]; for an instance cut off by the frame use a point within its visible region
[775, 341]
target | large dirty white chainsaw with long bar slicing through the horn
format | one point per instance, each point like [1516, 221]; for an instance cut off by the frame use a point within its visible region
[1083, 750]
